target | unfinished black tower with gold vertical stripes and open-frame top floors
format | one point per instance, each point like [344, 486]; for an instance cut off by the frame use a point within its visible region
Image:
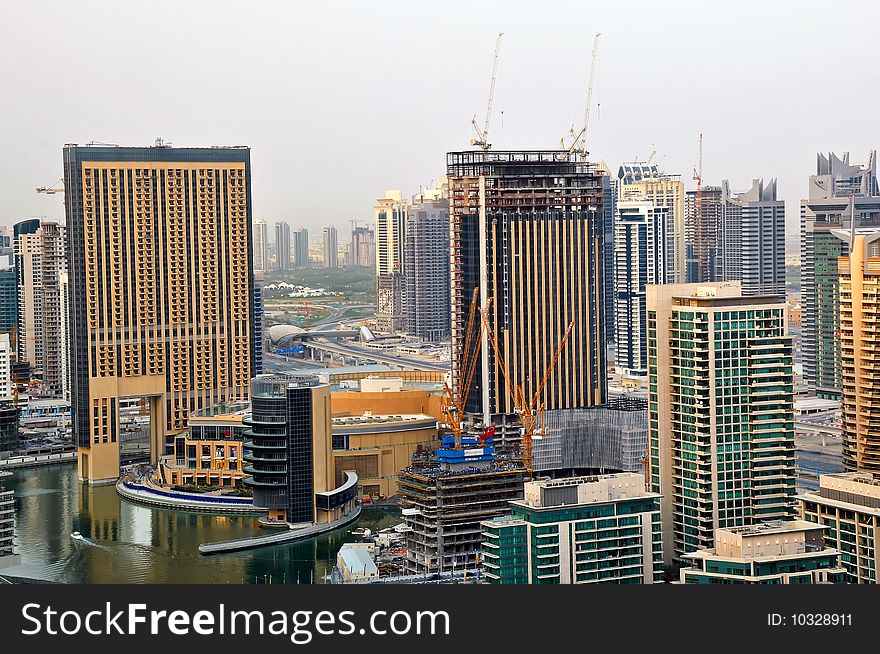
[527, 229]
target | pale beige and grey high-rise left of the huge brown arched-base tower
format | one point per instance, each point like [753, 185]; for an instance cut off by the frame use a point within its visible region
[39, 261]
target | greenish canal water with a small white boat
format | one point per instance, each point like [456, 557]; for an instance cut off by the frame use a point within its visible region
[129, 543]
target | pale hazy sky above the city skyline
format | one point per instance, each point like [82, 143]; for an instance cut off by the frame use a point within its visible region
[342, 100]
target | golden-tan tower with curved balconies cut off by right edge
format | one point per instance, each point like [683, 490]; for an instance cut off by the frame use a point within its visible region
[859, 339]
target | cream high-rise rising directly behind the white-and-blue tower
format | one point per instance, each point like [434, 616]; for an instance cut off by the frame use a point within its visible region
[646, 181]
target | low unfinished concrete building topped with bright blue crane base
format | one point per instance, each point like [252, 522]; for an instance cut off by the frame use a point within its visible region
[447, 494]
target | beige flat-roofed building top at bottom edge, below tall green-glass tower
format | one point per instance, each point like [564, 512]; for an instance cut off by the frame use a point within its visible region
[778, 552]
